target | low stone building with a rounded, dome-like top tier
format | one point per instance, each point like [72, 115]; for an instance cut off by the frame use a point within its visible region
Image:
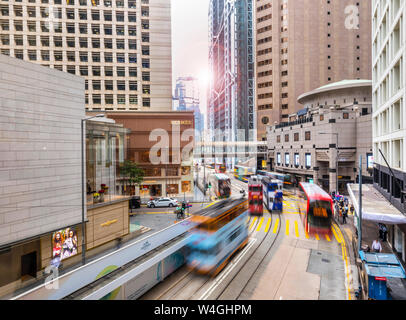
[331, 133]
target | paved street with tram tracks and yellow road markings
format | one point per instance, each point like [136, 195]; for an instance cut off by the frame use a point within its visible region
[279, 262]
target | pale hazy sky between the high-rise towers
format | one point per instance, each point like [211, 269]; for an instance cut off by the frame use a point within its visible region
[190, 45]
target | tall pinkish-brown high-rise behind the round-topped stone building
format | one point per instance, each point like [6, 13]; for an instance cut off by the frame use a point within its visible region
[302, 45]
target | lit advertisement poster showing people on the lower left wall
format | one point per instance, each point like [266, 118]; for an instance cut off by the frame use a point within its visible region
[64, 244]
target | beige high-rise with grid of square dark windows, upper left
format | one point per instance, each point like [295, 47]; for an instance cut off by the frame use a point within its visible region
[122, 48]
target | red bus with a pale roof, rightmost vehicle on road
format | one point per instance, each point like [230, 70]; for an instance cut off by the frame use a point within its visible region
[316, 208]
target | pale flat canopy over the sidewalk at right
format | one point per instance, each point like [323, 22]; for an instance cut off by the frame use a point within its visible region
[374, 206]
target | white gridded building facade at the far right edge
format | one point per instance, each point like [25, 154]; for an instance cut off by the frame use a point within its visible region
[389, 108]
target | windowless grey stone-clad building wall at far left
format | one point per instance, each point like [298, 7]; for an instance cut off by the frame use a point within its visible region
[40, 172]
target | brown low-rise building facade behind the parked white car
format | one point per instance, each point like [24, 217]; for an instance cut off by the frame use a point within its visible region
[167, 177]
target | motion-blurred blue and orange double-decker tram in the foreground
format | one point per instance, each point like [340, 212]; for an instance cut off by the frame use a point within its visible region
[221, 230]
